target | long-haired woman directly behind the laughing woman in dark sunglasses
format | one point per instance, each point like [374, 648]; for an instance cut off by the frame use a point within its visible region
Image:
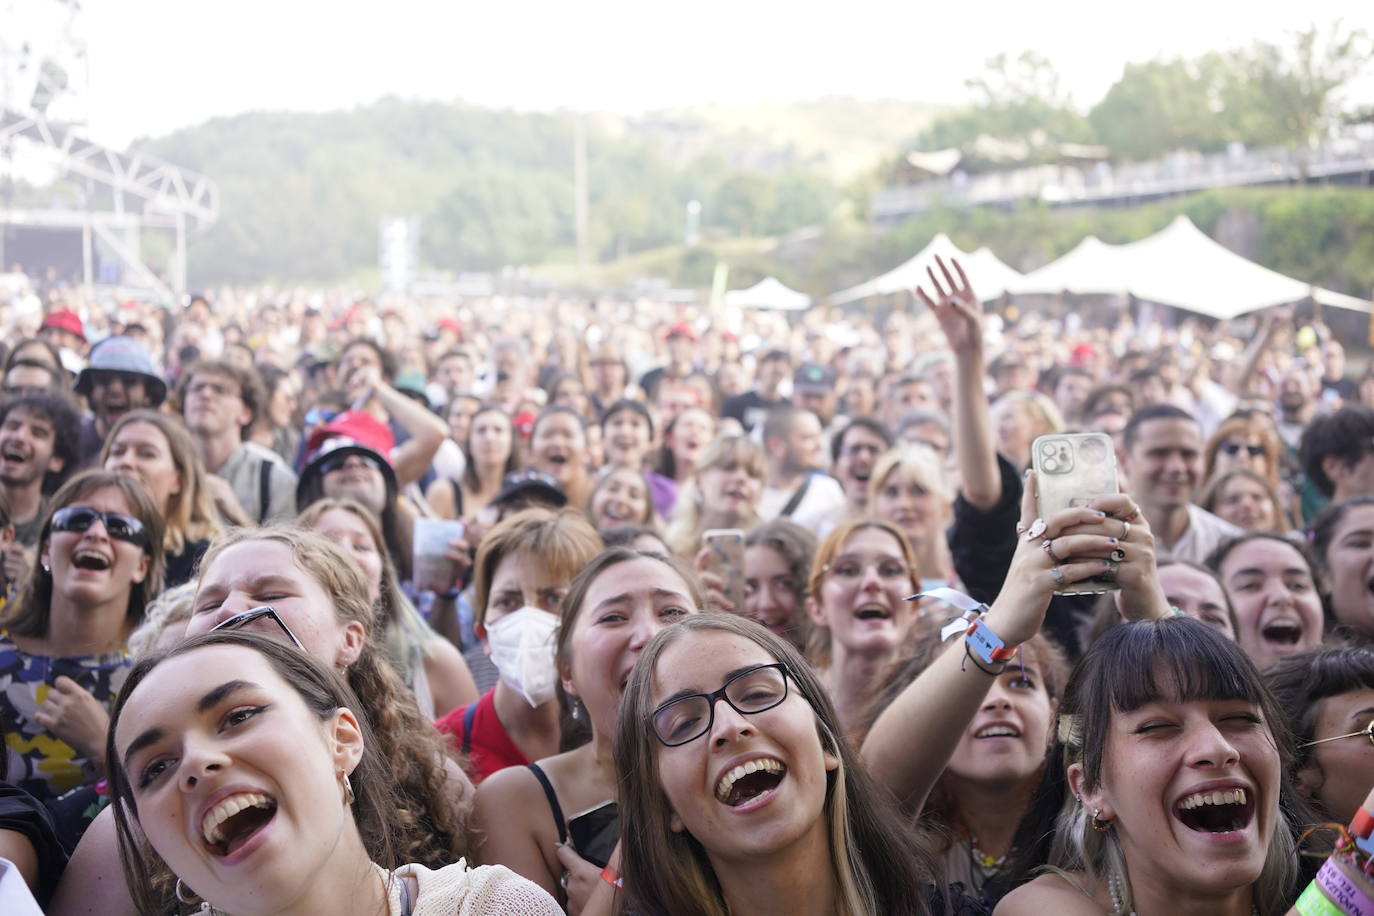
[157, 451]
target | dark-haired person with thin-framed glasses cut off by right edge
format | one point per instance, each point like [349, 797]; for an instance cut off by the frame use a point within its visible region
[1328, 697]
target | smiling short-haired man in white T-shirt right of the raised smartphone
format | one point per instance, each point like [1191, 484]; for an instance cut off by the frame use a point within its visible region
[1162, 469]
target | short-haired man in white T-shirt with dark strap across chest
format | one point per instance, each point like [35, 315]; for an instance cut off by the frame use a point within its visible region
[796, 488]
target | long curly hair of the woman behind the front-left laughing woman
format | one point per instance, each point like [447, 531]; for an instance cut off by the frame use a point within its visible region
[428, 827]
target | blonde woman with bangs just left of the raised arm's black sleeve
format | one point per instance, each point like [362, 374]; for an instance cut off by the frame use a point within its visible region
[910, 491]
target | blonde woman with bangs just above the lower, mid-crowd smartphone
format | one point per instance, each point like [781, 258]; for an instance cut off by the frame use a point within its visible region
[723, 492]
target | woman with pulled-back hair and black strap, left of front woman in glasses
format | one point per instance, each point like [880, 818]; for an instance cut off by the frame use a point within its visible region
[556, 822]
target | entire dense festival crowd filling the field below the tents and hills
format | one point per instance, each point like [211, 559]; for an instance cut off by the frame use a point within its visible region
[729, 612]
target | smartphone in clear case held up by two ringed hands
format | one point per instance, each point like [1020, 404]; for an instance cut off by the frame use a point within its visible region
[1074, 469]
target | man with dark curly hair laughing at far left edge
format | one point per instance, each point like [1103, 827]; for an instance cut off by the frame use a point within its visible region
[38, 448]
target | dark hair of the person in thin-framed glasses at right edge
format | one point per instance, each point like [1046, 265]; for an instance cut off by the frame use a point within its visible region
[1305, 680]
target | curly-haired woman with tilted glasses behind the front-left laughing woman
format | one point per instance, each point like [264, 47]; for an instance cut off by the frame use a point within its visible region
[299, 587]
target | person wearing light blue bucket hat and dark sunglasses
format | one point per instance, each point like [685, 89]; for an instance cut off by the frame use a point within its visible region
[119, 380]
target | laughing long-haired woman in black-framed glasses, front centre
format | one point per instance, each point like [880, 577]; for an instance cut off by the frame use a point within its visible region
[744, 794]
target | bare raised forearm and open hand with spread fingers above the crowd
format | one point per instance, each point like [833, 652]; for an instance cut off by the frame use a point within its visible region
[960, 315]
